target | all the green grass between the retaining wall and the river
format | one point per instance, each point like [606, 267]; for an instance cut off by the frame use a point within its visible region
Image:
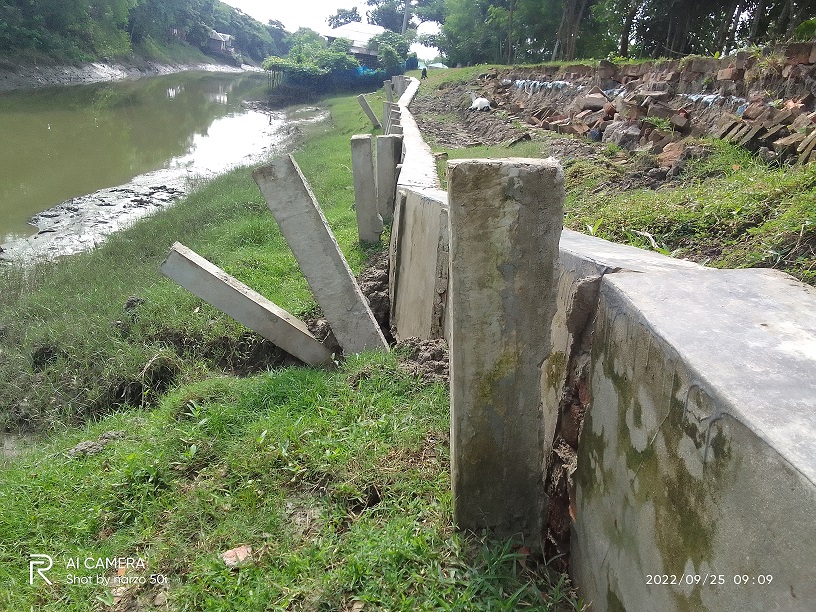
[338, 480]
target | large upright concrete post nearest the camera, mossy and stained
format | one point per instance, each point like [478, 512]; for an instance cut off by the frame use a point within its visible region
[505, 220]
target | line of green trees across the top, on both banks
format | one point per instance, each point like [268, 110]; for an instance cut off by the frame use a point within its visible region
[472, 31]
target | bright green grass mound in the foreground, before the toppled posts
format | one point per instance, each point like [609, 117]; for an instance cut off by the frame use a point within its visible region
[339, 482]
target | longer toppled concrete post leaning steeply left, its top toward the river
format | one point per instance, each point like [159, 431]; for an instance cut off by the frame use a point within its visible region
[302, 223]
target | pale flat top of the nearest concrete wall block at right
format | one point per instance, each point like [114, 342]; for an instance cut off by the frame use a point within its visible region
[749, 335]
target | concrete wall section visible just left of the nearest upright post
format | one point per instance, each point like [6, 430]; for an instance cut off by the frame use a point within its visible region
[420, 262]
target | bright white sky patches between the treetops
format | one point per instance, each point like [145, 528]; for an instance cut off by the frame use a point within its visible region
[294, 14]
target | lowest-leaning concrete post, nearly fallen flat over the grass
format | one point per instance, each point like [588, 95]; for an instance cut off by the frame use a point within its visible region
[216, 287]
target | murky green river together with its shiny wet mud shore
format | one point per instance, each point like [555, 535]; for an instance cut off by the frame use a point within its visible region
[80, 161]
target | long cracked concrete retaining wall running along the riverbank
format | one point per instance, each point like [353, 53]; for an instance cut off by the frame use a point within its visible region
[694, 394]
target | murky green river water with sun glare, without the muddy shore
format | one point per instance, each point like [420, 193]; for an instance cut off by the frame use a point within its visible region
[64, 142]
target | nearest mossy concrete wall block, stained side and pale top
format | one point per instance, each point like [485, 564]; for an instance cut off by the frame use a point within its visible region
[698, 456]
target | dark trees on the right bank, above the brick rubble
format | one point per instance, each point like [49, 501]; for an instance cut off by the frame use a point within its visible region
[498, 31]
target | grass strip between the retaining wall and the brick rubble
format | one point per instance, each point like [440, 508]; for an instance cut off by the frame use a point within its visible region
[730, 209]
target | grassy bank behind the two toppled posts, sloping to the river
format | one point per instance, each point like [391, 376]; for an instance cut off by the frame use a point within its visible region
[62, 354]
